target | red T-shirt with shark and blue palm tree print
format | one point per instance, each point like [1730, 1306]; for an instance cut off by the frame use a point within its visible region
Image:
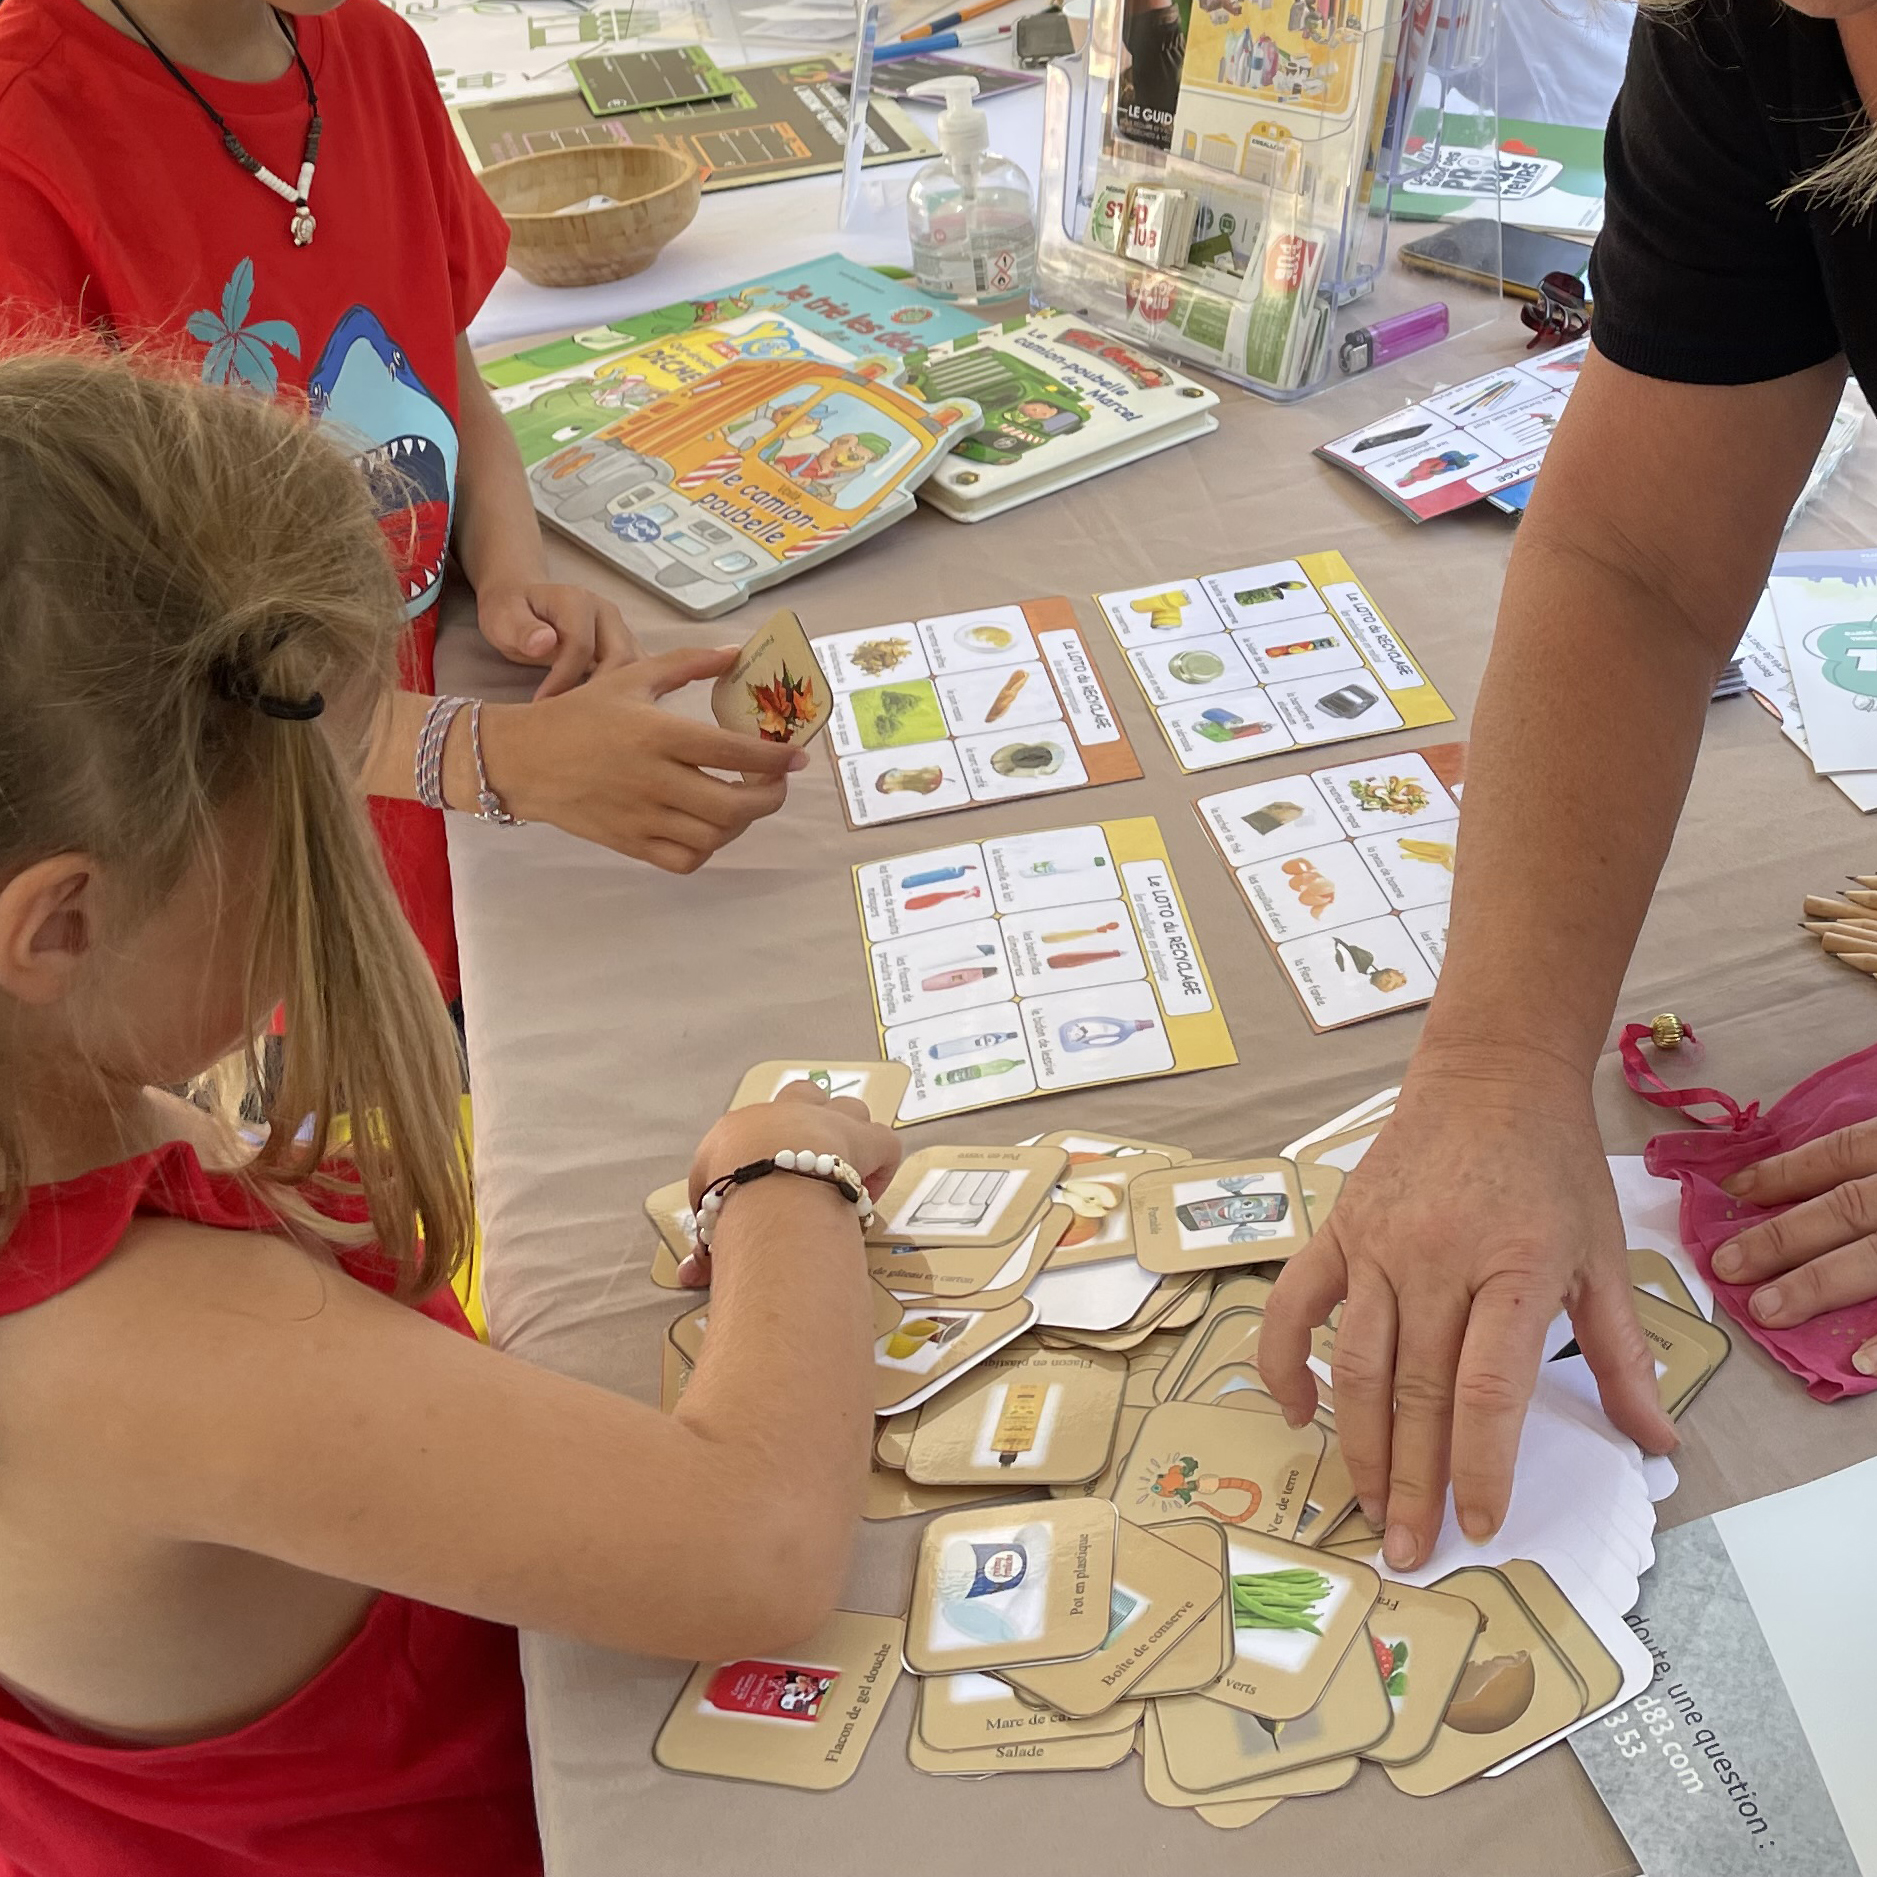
[121, 209]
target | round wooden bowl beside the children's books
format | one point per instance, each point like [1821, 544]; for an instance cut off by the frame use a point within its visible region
[656, 194]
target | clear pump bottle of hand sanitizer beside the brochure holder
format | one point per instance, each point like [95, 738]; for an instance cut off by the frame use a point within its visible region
[971, 213]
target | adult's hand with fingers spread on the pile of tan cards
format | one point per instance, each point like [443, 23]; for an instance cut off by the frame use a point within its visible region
[1476, 1215]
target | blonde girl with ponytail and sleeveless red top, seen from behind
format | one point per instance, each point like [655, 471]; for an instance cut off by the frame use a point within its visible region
[267, 1512]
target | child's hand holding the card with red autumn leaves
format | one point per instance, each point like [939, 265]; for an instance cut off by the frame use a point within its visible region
[607, 765]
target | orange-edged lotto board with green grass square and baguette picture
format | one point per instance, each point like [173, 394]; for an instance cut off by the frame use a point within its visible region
[973, 707]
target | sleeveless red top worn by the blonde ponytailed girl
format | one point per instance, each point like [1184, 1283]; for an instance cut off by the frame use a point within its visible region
[404, 1758]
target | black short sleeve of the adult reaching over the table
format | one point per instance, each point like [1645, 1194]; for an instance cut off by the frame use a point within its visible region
[1698, 277]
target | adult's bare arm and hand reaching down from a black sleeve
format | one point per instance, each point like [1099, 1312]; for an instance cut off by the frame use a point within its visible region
[1488, 1202]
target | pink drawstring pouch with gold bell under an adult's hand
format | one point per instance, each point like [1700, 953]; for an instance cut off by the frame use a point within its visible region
[1837, 1097]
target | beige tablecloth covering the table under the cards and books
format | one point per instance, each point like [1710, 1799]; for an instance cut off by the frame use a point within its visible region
[609, 1015]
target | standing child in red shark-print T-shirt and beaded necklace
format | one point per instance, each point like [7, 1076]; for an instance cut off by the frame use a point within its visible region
[344, 267]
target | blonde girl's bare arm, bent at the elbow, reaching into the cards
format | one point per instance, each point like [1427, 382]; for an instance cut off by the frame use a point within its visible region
[267, 1403]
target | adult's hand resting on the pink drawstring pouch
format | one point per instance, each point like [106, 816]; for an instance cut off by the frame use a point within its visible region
[1824, 1253]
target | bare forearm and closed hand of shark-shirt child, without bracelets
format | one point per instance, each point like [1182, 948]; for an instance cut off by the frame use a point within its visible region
[523, 615]
